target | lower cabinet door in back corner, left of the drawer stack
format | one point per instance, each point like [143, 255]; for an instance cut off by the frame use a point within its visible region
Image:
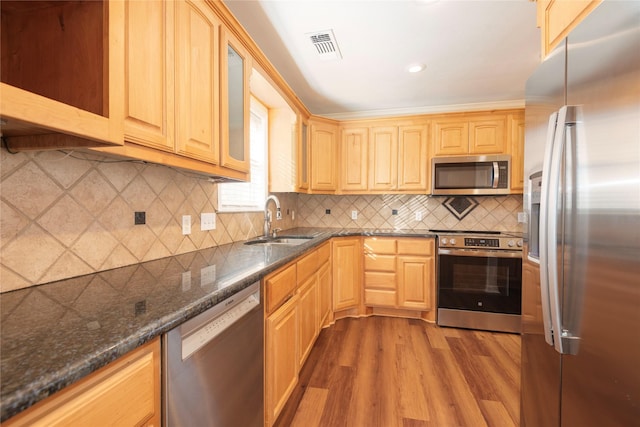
[347, 273]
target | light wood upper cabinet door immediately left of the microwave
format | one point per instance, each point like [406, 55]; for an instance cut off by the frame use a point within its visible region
[412, 158]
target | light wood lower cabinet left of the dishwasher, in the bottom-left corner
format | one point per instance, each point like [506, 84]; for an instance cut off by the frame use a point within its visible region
[126, 392]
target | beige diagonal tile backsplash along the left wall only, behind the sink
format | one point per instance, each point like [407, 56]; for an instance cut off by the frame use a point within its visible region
[66, 215]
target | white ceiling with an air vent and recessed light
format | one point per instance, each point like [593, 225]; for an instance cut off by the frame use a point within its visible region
[478, 54]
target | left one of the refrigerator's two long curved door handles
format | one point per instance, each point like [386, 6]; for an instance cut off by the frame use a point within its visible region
[543, 244]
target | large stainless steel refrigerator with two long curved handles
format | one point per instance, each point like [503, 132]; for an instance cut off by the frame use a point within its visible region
[581, 284]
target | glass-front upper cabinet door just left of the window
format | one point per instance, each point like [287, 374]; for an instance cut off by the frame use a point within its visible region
[235, 70]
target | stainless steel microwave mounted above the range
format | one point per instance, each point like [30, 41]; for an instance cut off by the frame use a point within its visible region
[471, 175]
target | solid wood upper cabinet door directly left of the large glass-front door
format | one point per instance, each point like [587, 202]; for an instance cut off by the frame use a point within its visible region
[197, 94]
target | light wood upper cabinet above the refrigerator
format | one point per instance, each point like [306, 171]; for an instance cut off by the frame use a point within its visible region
[556, 18]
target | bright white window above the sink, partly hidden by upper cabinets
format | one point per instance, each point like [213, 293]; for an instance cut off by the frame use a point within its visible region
[250, 196]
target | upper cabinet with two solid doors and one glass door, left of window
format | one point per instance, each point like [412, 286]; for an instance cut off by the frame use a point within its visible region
[175, 99]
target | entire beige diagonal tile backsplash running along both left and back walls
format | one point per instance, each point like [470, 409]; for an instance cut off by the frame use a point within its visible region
[64, 215]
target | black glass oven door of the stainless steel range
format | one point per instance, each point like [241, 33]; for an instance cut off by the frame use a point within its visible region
[478, 280]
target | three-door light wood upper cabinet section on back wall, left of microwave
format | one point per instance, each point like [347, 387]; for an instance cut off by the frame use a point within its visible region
[383, 157]
